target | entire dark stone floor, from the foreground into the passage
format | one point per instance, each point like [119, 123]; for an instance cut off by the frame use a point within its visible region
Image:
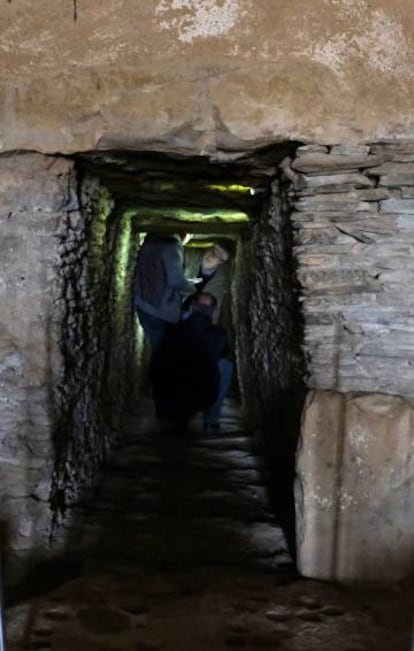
[181, 552]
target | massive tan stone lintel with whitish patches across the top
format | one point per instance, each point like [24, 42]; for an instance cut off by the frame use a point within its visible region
[203, 76]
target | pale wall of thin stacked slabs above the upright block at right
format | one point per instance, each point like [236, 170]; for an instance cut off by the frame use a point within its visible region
[353, 217]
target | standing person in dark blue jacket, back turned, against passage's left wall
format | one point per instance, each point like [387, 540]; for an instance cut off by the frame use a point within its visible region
[160, 285]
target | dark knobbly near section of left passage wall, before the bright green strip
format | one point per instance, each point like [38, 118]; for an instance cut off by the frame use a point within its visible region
[82, 434]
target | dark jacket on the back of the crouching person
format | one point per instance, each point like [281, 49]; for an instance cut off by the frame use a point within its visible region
[186, 376]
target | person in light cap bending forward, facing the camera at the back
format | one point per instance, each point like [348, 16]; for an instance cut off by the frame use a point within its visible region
[211, 267]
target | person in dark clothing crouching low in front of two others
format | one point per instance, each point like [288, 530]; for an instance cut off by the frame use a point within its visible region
[190, 369]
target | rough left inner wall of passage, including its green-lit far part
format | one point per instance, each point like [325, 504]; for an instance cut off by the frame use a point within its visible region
[97, 340]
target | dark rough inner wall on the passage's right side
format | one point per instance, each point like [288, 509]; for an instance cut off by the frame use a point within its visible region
[268, 335]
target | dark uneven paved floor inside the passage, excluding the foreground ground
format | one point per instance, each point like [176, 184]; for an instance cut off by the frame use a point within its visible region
[182, 500]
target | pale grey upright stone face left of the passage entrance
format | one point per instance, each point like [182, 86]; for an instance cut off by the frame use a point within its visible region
[33, 189]
